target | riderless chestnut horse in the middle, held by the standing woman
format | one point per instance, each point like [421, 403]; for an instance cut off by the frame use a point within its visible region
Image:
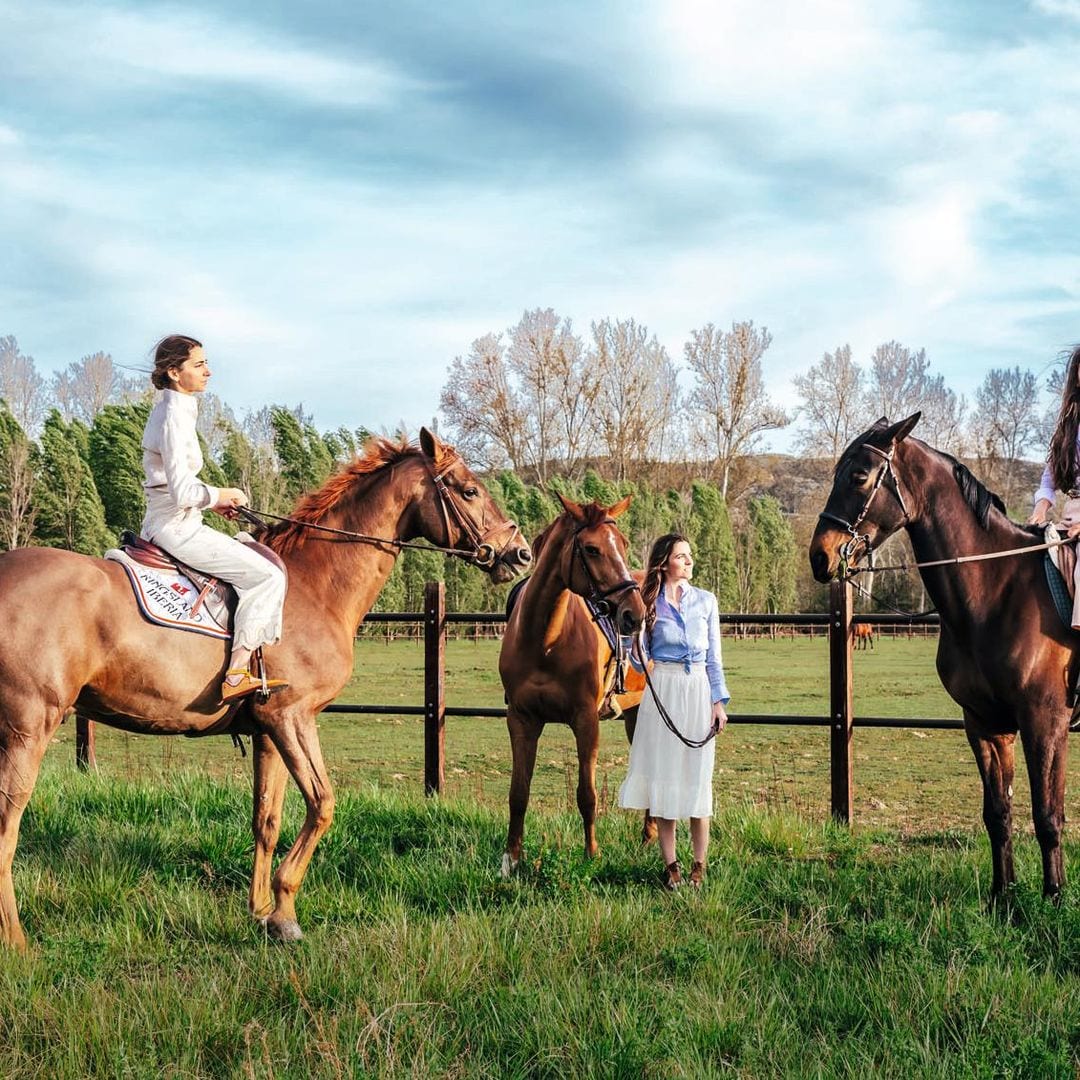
[555, 663]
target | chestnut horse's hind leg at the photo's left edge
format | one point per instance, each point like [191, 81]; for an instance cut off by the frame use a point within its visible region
[22, 749]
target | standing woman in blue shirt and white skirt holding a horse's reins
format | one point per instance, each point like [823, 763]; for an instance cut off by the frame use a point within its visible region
[683, 640]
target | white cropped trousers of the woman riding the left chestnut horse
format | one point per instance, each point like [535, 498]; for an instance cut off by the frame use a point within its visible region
[260, 585]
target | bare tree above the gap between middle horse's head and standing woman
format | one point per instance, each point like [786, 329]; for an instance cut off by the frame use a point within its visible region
[639, 394]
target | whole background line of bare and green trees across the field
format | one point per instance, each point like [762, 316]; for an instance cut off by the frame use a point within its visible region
[539, 411]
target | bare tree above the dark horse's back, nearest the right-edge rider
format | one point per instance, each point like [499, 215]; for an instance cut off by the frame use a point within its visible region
[1006, 423]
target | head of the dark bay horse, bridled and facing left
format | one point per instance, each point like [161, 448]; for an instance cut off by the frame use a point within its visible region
[867, 505]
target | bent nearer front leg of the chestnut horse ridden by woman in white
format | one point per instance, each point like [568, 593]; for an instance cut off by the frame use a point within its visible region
[298, 742]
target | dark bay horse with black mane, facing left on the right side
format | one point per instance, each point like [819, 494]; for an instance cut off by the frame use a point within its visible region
[1004, 656]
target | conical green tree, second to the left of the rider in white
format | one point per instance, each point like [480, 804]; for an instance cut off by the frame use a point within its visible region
[70, 511]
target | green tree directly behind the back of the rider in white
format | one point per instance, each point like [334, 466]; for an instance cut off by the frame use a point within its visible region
[116, 458]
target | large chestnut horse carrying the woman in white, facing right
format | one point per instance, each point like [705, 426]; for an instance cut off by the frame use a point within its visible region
[74, 637]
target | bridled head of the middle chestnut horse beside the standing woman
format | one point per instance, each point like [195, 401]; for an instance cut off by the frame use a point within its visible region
[593, 563]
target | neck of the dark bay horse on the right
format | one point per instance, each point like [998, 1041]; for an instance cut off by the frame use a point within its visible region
[944, 526]
